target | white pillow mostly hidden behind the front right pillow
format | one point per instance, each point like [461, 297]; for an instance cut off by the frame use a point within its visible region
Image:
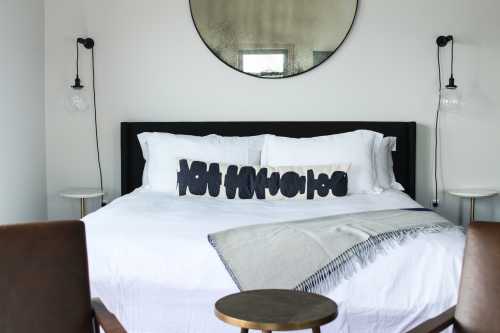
[385, 164]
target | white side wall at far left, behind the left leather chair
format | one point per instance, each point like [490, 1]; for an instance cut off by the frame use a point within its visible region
[22, 130]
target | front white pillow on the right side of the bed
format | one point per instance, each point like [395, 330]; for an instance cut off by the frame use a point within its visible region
[354, 148]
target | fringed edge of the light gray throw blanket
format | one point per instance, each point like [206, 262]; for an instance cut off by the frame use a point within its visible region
[360, 255]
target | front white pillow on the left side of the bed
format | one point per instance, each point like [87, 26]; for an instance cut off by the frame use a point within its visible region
[162, 151]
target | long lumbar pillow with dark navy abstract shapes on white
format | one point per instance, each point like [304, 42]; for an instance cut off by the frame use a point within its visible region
[197, 178]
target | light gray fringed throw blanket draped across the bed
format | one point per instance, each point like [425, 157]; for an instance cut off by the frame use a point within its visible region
[315, 255]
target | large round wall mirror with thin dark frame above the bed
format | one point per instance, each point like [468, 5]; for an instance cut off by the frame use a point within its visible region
[273, 38]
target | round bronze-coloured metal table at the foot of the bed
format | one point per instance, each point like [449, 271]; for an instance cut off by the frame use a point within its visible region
[276, 310]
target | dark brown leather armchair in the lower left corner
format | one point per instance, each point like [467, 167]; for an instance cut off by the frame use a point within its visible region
[44, 281]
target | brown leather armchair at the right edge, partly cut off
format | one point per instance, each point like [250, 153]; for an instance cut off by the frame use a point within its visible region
[478, 308]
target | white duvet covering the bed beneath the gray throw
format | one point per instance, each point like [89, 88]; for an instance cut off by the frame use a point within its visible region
[151, 263]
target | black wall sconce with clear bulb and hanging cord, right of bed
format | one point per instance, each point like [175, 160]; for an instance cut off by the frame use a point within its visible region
[449, 99]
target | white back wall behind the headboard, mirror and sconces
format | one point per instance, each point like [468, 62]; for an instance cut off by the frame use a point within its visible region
[152, 66]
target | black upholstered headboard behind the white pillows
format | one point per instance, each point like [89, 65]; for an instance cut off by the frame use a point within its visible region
[133, 162]
